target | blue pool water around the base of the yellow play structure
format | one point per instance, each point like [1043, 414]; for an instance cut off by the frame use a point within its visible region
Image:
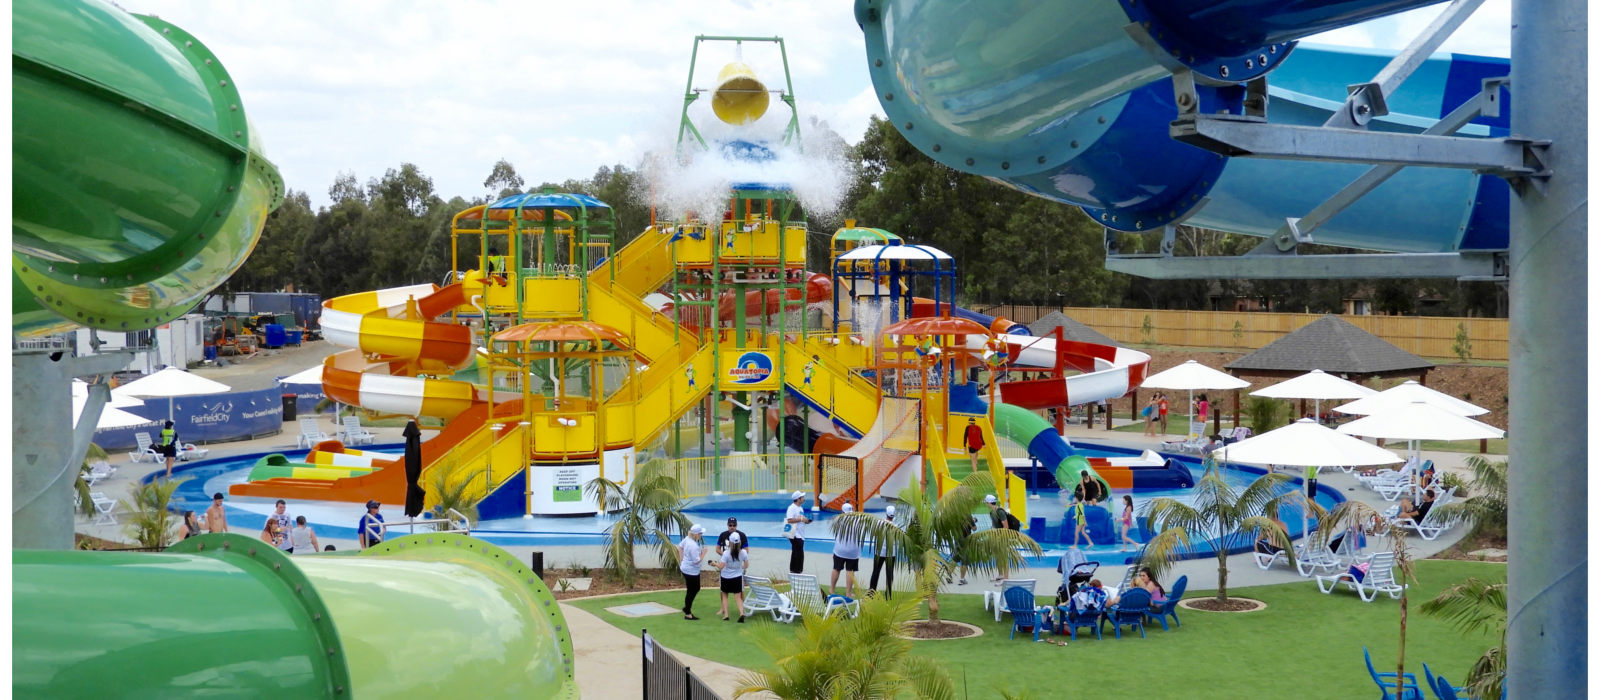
[759, 515]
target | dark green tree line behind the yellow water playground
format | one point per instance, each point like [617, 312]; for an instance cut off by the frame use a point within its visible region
[1010, 249]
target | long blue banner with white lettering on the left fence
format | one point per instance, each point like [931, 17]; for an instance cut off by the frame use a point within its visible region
[214, 418]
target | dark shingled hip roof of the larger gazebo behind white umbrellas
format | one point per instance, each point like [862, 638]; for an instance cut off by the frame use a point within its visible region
[1334, 346]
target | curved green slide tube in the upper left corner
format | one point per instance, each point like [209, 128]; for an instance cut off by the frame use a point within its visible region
[138, 183]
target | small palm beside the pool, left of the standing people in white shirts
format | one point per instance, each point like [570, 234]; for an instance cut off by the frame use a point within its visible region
[649, 512]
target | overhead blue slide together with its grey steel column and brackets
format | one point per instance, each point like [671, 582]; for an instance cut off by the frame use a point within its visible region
[1156, 113]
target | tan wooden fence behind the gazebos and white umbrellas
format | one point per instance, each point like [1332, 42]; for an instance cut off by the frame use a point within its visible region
[1244, 332]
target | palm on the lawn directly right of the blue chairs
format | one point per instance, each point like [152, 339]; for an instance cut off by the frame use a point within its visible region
[1222, 517]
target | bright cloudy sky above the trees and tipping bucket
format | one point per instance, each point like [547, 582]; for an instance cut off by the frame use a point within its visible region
[559, 89]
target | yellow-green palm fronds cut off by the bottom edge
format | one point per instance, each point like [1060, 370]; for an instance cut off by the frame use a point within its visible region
[838, 658]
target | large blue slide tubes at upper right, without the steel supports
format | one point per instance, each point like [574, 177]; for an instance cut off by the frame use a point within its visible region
[1063, 101]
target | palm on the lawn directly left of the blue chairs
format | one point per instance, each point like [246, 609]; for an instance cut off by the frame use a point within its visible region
[935, 530]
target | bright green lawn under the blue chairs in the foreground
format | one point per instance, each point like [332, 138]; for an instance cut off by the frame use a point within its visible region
[1303, 645]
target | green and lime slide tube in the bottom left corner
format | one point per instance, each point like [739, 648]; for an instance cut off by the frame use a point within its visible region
[422, 616]
